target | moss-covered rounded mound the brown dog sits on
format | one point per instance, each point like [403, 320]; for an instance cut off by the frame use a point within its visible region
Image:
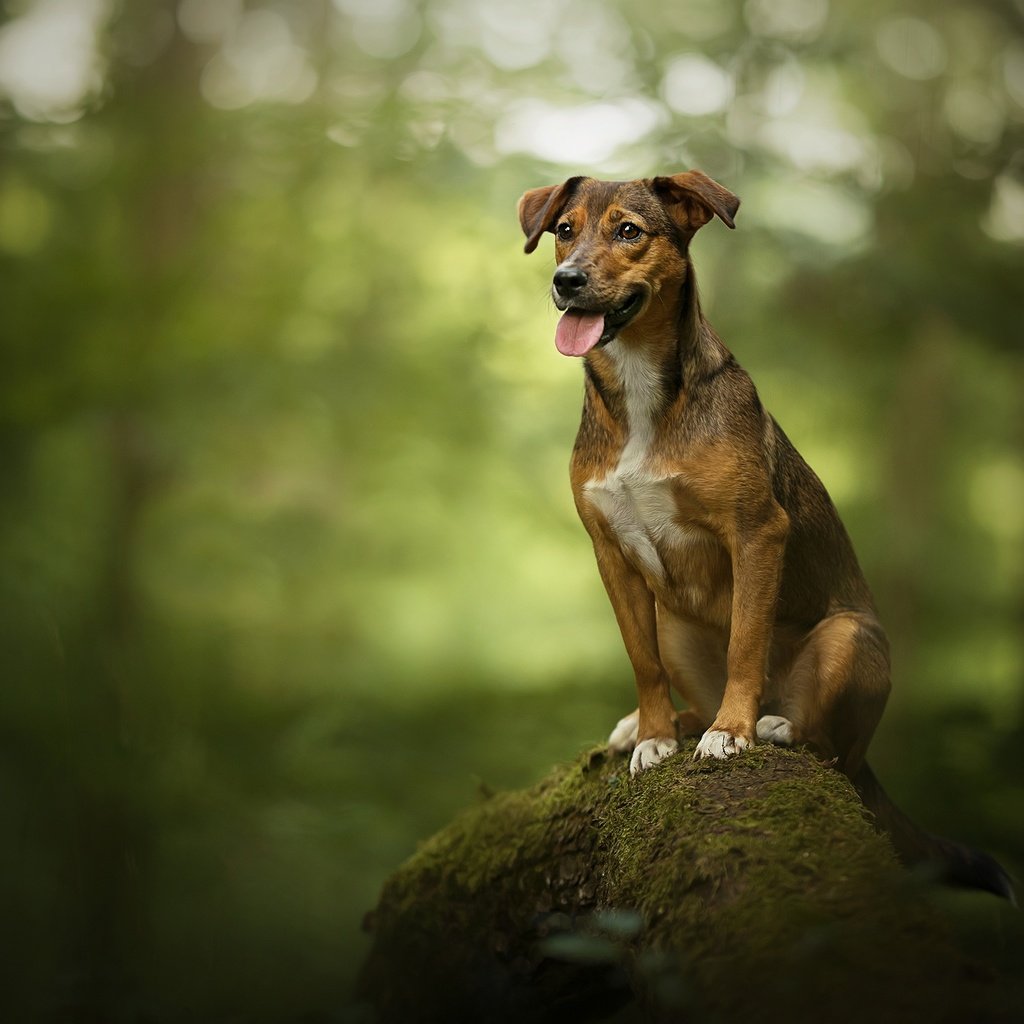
[697, 891]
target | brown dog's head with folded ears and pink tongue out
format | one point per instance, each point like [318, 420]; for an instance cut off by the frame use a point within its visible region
[618, 244]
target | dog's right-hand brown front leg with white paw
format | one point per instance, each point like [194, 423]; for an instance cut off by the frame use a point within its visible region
[757, 572]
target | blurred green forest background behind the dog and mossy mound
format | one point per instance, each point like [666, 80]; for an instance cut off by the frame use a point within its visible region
[289, 565]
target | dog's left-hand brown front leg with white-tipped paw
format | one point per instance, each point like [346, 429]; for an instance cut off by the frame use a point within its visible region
[634, 607]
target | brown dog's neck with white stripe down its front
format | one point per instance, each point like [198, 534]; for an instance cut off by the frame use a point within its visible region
[653, 363]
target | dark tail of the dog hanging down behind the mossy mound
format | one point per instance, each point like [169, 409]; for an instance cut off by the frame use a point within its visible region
[952, 864]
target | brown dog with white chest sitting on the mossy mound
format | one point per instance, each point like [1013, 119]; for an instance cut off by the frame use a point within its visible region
[732, 576]
